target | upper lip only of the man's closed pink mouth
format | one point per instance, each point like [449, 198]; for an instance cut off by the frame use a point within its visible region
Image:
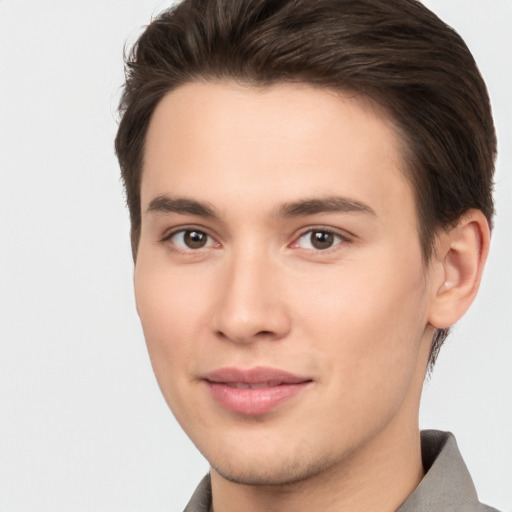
[254, 376]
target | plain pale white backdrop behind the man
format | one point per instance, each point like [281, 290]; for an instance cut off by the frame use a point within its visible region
[83, 427]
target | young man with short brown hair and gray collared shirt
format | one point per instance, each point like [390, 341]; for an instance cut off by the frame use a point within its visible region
[309, 186]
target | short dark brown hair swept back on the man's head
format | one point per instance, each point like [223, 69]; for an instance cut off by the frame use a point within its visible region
[396, 52]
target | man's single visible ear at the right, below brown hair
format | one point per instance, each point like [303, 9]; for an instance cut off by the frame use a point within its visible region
[457, 268]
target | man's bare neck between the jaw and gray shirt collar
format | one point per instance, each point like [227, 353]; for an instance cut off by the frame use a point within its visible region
[378, 477]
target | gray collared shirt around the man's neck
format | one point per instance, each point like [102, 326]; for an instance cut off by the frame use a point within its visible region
[446, 486]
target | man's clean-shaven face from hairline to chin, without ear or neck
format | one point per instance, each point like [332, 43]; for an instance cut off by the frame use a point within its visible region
[279, 277]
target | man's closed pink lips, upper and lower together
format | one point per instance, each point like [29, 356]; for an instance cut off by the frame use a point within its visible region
[254, 391]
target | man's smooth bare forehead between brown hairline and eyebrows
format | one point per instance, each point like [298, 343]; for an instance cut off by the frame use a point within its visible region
[227, 142]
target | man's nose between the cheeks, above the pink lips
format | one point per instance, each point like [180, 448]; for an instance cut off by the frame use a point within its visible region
[251, 305]
